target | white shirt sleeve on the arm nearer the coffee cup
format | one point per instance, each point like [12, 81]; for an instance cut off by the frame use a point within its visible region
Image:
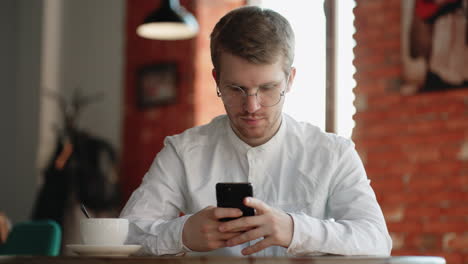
[154, 208]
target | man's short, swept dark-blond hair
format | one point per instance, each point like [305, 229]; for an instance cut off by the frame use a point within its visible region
[261, 36]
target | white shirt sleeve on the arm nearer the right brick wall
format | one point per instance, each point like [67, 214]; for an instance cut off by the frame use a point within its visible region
[355, 224]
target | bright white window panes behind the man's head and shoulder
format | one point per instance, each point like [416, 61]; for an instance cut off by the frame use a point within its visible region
[306, 101]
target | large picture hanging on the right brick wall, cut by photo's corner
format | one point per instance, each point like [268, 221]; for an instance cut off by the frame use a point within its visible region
[434, 45]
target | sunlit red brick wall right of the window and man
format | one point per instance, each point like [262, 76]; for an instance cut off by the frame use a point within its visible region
[415, 147]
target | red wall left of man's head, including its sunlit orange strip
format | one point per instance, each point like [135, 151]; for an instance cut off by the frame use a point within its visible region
[145, 129]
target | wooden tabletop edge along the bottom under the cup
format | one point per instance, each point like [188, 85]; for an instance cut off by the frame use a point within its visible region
[222, 260]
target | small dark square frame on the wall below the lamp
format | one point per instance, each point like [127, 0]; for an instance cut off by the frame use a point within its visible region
[157, 85]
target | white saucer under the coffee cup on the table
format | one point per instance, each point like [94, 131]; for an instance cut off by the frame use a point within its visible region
[93, 250]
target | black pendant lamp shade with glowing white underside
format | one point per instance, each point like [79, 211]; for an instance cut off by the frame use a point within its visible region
[169, 22]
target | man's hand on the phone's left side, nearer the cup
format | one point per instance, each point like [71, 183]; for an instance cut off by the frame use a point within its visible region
[201, 230]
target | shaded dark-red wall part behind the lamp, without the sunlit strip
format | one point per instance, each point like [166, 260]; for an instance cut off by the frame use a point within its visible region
[144, 129]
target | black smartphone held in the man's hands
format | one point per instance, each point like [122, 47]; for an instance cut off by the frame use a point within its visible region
[232, 194]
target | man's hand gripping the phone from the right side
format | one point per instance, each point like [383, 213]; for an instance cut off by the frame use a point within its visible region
[276, 227]
